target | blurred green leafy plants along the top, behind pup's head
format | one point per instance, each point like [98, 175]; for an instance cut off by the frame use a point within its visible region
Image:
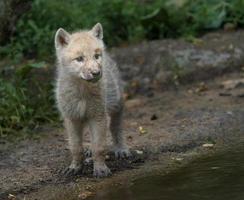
[123, 21]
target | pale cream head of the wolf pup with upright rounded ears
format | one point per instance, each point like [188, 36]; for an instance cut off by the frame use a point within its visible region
[80, 54]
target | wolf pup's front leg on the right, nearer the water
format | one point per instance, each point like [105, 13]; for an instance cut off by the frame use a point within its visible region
[98, 128]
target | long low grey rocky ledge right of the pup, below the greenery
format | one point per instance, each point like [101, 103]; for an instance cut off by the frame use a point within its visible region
[161, 63]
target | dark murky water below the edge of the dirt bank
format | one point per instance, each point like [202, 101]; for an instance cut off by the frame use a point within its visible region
[219, 177]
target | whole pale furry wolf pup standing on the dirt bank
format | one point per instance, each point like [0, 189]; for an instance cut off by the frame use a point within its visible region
[89, 94]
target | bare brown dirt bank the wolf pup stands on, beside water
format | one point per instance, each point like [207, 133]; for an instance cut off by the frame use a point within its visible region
[163, 122]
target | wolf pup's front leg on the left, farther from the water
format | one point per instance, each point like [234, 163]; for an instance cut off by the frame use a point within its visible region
[74, 130]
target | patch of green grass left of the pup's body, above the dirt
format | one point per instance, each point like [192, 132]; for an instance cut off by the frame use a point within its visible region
[25, 102]
